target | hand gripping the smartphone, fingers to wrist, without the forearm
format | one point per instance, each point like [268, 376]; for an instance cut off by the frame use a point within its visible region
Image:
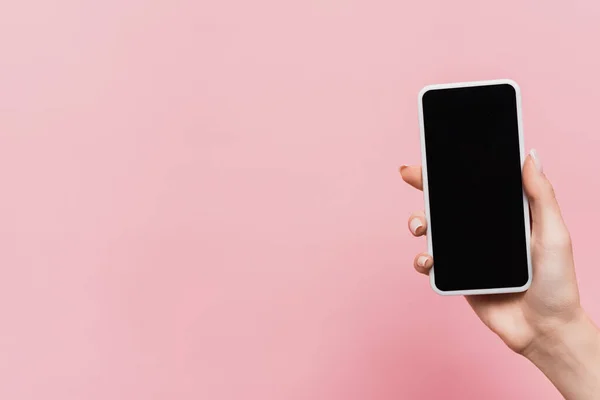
[553, 298]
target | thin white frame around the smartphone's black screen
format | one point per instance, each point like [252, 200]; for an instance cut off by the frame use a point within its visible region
[426, 186]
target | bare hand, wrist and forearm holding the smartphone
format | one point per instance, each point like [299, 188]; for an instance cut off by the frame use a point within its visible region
[546, 323]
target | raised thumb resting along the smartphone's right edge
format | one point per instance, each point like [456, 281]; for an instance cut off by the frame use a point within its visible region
[546, 218]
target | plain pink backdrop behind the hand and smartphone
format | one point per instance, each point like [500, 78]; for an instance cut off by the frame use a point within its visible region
[200, 199]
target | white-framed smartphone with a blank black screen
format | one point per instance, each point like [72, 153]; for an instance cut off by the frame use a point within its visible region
[477, 212]
